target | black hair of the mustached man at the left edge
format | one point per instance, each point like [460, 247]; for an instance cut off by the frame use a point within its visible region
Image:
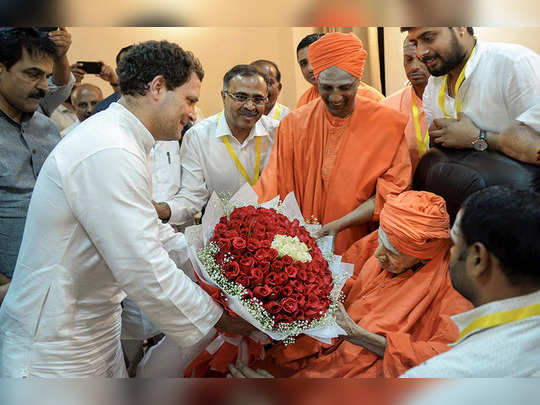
[14, 40]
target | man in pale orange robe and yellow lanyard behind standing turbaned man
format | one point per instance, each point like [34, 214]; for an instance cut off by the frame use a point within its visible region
[409, 101]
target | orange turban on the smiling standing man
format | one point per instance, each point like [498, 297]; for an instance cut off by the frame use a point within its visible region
[344, 51]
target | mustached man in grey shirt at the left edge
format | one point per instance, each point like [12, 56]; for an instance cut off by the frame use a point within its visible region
[26, 136]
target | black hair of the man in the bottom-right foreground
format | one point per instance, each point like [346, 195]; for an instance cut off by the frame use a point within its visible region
[507, 222]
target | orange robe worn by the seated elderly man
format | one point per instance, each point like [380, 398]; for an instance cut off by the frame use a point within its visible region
[412, 310]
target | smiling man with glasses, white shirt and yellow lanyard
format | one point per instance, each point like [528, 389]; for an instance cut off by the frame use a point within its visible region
[226, 150]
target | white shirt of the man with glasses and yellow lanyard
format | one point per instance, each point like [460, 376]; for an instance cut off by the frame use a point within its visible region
[207, 165]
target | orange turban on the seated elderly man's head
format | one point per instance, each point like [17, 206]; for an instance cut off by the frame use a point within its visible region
[416, 223]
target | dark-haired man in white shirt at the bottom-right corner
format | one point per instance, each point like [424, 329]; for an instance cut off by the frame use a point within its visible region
[494, 264]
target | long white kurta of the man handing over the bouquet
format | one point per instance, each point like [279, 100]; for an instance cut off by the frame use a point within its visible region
[91, 236]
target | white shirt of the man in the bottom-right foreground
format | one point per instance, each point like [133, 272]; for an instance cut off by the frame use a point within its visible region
[507, 350]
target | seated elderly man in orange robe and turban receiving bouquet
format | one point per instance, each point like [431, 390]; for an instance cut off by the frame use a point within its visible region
[397, 311]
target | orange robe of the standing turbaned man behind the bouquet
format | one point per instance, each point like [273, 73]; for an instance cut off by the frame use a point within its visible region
[335, 164]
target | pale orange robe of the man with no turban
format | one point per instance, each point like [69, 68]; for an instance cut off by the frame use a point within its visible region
[402, 102]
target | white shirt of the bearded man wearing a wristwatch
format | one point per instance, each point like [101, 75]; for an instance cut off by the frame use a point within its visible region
[501, 88]
